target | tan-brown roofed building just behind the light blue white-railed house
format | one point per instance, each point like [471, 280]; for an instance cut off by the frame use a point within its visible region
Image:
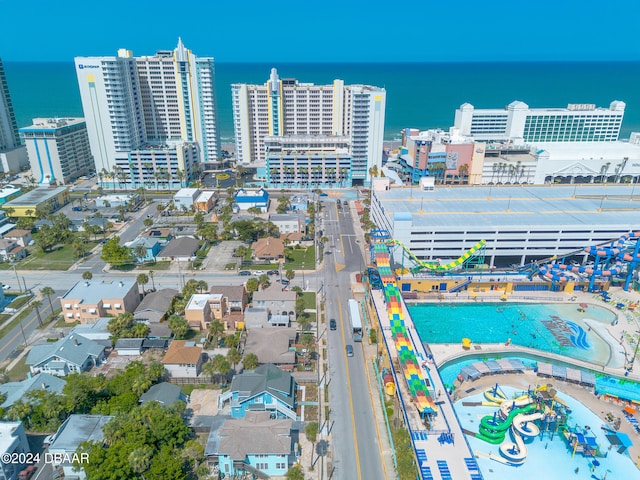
[272, 345]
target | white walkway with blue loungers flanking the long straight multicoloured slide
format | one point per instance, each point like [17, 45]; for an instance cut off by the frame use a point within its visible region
[425, 438]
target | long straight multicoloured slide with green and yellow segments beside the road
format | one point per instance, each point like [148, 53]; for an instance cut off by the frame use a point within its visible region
[411, 368]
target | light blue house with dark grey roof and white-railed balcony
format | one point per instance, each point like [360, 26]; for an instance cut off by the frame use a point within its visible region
[265, 388]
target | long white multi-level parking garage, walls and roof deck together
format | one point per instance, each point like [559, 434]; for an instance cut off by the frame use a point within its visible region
[519, 224]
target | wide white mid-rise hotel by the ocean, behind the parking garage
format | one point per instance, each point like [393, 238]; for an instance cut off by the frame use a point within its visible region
[579, 122]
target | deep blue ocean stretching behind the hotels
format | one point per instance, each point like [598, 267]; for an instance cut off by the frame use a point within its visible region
[419, 95]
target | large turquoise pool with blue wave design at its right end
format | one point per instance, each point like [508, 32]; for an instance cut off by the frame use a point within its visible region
[557, 328]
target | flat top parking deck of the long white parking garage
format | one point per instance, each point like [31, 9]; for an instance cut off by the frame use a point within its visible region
[513, 206]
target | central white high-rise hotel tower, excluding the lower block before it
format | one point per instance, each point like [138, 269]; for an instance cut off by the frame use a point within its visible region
[286, 107]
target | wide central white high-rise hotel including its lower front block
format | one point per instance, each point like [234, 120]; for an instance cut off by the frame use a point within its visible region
[296, 111]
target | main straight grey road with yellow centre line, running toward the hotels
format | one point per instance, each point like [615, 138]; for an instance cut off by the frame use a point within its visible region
[356, 451]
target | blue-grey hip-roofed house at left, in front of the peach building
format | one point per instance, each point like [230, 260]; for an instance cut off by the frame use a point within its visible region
[73, 353]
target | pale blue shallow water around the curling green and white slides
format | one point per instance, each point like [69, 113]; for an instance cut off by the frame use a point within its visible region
[547, 458]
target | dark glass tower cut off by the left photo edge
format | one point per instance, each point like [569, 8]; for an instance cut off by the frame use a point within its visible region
[13, 155]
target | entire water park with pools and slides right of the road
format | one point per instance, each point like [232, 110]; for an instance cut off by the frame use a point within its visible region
[547, 318]
